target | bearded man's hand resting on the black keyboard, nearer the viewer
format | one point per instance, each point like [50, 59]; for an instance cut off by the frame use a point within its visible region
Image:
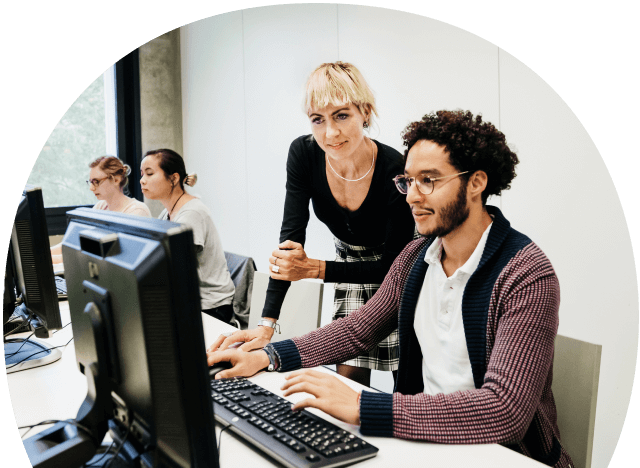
[331, 395]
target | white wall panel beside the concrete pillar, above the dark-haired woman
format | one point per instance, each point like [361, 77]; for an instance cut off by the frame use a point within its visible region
[214, 123]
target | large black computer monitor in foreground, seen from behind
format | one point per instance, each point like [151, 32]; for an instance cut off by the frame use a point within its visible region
[135, 310]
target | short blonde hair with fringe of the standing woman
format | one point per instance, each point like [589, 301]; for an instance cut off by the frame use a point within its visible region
[336, 84]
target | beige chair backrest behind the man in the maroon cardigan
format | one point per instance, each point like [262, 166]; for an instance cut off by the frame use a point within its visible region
[576, 372]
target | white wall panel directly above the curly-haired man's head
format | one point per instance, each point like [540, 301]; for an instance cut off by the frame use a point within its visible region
[418, 65]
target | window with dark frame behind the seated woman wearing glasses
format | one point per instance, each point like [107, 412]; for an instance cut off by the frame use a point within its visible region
[103, 120]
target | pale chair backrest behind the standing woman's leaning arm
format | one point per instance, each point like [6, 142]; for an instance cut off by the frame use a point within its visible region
[300, 311]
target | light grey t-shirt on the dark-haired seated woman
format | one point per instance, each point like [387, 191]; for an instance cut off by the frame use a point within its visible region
[216, 286]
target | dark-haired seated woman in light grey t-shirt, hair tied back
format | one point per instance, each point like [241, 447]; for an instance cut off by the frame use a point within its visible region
[163, 177]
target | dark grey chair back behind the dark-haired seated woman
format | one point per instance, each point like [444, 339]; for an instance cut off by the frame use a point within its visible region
[242, 270]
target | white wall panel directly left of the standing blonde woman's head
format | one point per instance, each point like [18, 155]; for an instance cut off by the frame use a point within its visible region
[283, 44]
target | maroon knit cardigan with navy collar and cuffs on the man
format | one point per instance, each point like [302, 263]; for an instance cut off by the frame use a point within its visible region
[510, 315]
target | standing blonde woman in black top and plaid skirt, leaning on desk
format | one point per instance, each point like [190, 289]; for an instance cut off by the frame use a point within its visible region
[347, 176]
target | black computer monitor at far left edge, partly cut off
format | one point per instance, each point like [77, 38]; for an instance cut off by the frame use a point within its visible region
[30, 298]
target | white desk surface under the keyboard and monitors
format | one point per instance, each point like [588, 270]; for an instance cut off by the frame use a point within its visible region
[57, 390]
